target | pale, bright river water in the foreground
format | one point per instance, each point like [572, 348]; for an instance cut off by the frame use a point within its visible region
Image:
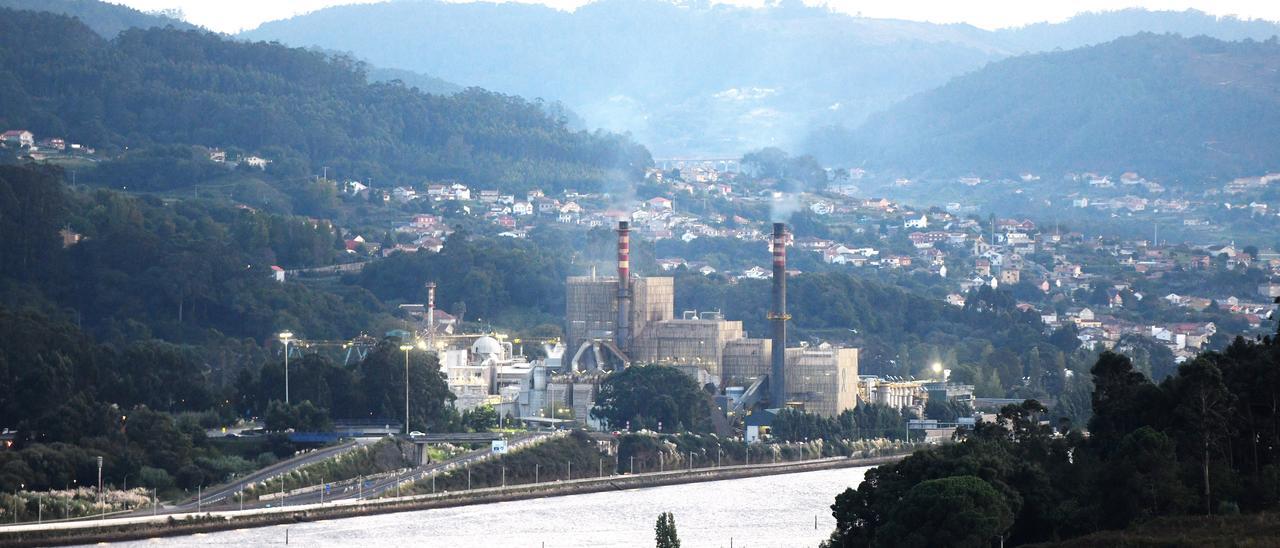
[753, 513]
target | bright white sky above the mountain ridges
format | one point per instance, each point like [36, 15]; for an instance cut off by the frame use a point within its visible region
[232, 16]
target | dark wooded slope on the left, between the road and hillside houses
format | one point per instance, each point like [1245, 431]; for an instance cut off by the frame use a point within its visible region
[154, 326]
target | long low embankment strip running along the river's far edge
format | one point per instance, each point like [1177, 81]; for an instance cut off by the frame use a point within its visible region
[186, 524]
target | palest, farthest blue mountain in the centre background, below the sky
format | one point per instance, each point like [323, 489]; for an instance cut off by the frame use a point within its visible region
[701, 79]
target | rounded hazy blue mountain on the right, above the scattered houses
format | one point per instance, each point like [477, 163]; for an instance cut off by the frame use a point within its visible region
[1162, 106]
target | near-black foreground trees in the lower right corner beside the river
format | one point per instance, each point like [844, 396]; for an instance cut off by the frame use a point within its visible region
[1203, 442]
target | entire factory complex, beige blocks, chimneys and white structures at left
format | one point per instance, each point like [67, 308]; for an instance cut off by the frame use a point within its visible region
[625, 321]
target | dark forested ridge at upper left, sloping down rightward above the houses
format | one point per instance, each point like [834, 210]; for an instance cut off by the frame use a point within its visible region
[299, 109]
